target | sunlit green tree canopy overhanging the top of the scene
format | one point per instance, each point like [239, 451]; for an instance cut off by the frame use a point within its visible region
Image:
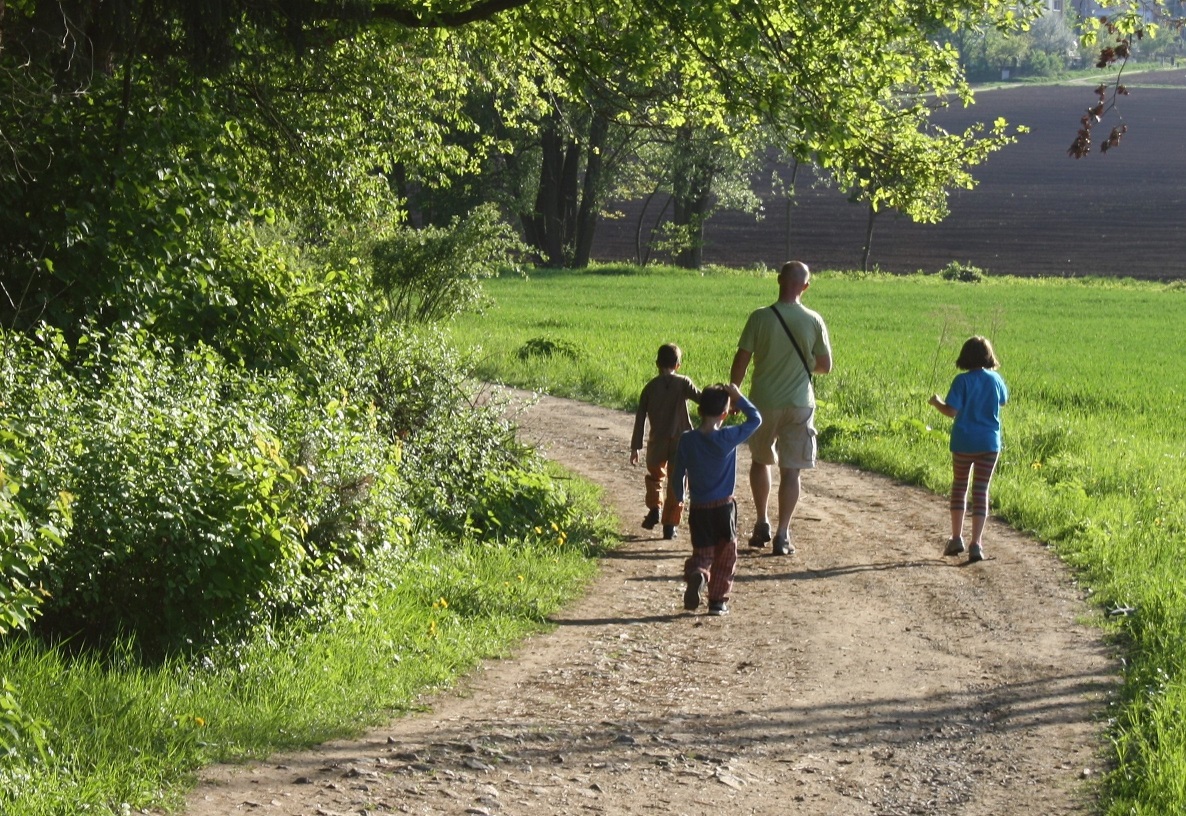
[141, 137]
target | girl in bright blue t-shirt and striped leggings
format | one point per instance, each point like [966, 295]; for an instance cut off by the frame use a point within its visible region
[974, 401]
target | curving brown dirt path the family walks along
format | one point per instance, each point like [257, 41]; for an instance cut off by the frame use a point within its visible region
[866, 675]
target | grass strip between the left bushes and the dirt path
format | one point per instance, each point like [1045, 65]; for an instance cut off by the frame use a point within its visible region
[130, 737]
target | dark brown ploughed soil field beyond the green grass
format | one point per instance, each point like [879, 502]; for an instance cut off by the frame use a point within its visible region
[1035, 212]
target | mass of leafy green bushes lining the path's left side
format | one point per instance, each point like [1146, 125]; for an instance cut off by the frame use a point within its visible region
[211, 499]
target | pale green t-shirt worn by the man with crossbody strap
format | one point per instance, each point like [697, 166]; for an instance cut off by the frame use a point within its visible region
[780, 379]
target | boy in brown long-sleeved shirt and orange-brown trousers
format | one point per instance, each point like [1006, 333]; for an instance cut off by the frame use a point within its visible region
[664, 404]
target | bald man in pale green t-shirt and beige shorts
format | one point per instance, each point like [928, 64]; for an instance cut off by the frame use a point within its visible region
[788, 345]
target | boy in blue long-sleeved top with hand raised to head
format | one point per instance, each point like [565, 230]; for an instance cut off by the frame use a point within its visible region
[707, 456]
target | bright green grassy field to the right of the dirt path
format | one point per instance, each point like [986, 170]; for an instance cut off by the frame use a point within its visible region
[1094, 458]
